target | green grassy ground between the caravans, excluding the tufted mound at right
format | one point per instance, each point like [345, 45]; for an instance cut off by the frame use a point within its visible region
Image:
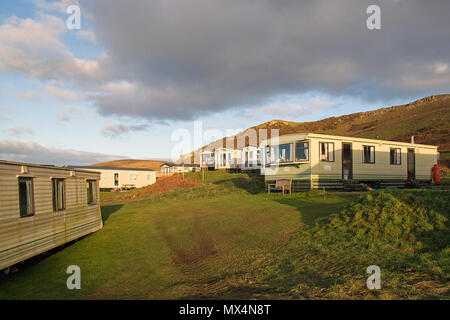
[226, 239]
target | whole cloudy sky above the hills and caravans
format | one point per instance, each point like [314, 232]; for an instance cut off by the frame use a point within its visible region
[136, 71]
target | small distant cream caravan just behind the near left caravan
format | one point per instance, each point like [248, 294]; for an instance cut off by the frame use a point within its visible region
[112, 177]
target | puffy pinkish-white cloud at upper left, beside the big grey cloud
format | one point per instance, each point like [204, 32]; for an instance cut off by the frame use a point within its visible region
[35, 47]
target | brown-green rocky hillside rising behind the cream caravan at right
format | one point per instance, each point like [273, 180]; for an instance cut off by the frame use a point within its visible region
[427, 119]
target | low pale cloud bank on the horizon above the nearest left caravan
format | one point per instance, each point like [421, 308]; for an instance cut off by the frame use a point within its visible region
[33, 152]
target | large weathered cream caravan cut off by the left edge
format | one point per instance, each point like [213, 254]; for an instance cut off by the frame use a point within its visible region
[43, 207]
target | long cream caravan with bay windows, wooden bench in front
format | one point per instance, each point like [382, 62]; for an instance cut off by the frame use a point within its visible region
[326, 161]
